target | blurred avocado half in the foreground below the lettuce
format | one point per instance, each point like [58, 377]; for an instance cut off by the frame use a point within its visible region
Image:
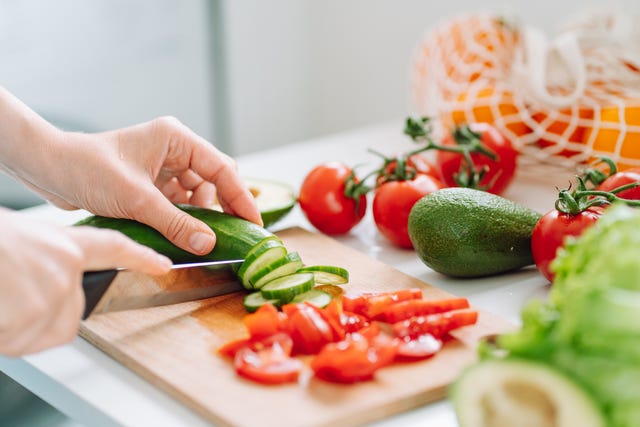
[498, 392]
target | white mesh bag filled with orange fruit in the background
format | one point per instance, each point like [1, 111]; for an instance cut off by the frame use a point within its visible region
[561, 101]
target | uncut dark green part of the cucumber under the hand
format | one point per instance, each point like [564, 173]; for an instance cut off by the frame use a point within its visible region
[235, 236]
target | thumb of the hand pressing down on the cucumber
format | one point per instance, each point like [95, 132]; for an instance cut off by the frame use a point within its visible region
[179, 227]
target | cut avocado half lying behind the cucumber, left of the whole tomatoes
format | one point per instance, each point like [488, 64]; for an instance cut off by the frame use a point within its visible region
[274, 199]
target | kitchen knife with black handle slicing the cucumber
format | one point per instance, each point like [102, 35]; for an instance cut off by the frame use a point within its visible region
[96, 283]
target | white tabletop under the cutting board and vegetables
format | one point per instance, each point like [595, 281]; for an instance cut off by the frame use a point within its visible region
[95, 390]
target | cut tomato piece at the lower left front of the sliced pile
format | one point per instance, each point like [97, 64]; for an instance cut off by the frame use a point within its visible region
[268, 364]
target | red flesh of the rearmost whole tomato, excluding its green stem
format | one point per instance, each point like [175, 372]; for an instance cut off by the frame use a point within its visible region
[499, 173]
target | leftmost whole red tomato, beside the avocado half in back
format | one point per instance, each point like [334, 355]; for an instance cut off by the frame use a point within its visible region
[323, 201]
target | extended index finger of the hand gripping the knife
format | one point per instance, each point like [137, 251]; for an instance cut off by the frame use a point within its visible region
[104, 249]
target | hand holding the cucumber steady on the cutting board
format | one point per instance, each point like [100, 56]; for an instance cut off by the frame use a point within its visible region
[139, 173]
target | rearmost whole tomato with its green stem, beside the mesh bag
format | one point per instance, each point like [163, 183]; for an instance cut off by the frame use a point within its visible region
[495, 174]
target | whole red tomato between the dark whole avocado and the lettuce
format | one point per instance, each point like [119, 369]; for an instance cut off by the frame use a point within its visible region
[549, 233]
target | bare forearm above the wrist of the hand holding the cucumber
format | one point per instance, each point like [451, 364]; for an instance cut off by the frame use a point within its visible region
[26, 139]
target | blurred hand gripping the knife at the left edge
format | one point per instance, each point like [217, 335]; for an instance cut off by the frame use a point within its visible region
[41, 299]
